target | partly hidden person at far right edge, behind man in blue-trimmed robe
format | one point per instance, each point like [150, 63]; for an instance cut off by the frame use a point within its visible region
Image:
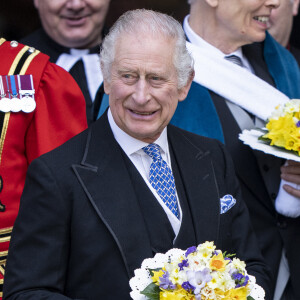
[281, 23]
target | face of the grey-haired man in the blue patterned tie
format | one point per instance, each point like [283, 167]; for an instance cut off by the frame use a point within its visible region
[143, 92]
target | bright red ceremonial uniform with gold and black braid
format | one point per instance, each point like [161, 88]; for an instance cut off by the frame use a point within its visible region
[59, 115]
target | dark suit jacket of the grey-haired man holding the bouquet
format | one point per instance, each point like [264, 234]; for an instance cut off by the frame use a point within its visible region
[93, 233]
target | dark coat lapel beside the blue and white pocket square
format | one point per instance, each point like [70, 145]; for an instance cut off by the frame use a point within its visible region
[197, 174]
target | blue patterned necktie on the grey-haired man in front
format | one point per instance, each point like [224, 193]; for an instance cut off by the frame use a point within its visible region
[162, 179]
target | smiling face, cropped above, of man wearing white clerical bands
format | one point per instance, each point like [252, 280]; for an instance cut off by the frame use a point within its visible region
[73, 23]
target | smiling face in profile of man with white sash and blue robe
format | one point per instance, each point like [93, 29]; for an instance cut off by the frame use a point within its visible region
[242, 22]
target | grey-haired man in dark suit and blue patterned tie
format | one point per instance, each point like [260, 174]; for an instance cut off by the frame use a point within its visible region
[103, 213]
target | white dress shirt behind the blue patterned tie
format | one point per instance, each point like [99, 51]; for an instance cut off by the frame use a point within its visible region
[142, 161]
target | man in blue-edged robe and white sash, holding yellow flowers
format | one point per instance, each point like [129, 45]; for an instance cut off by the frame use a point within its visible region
[241, 74]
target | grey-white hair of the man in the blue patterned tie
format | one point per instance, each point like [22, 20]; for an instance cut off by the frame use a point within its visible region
[152, 23]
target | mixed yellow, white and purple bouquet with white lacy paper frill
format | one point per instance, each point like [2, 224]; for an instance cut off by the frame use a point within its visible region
[199, 273]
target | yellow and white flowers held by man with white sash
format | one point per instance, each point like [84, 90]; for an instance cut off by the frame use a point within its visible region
[283, 127]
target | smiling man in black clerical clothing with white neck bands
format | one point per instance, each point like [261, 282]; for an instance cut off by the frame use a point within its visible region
[71, 33]
